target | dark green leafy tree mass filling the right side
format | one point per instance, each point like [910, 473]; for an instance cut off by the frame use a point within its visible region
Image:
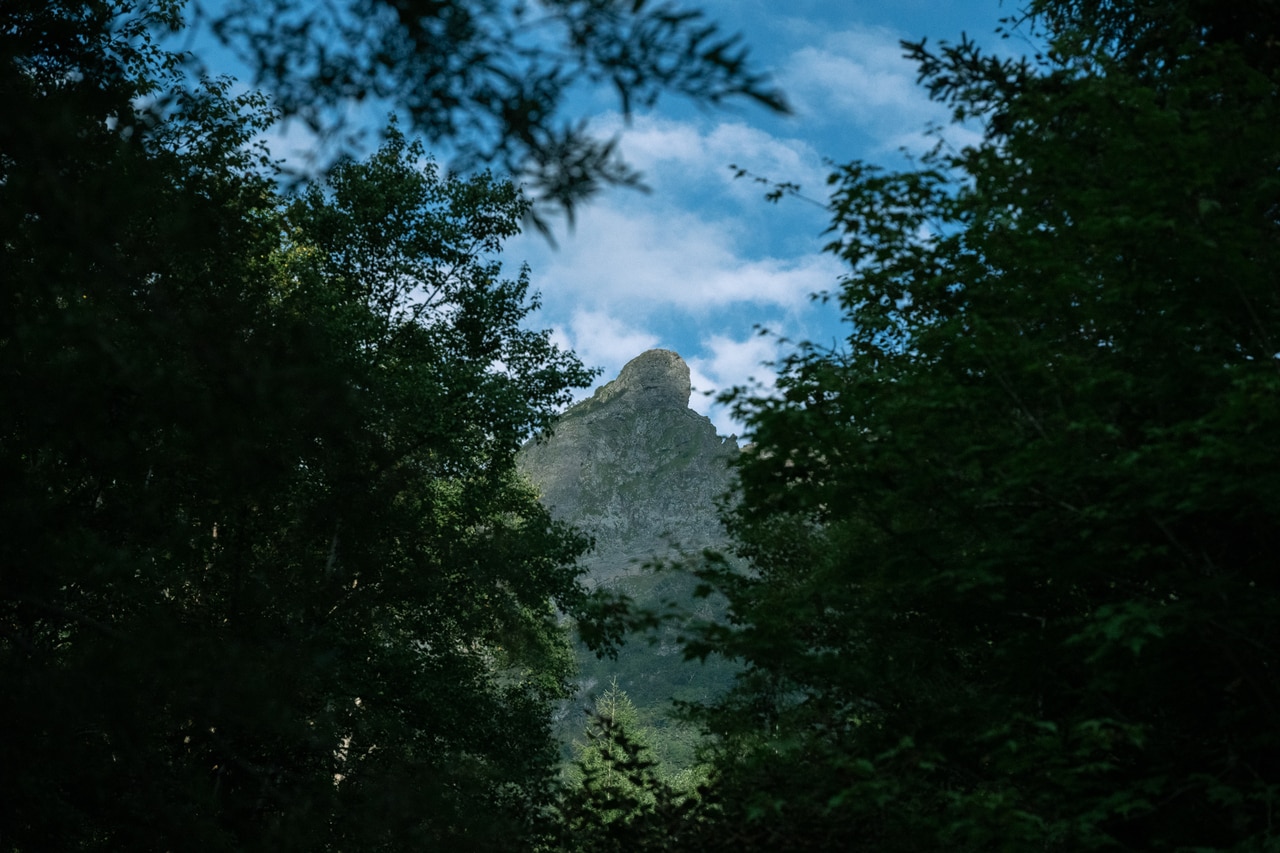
[1013, 545]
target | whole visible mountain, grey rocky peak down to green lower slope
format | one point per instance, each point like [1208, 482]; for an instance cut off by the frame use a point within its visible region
[643, 475]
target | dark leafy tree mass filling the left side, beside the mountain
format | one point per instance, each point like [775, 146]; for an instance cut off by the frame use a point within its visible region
[269, 578]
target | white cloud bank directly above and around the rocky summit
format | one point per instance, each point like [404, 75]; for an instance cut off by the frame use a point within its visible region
[693, 266]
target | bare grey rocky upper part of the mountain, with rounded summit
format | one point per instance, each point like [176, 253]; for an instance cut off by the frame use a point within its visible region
[634, 467]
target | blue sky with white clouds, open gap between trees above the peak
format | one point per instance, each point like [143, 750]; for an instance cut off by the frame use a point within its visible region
[703, 261]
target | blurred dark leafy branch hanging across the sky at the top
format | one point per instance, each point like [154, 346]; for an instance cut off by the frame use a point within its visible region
[488, 80]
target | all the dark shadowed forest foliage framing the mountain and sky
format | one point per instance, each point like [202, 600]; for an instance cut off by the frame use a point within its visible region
[1005, 560]
